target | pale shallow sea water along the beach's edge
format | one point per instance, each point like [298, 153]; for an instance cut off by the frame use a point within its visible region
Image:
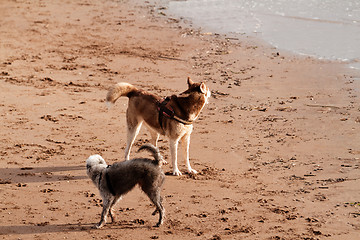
[325, 29]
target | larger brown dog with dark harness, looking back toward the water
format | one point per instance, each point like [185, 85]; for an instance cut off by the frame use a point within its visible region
[172, 117]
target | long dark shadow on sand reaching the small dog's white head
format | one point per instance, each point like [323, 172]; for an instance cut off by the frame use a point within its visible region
[41, 174]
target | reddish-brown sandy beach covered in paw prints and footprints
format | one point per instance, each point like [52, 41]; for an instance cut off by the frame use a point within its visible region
[277, 147]
